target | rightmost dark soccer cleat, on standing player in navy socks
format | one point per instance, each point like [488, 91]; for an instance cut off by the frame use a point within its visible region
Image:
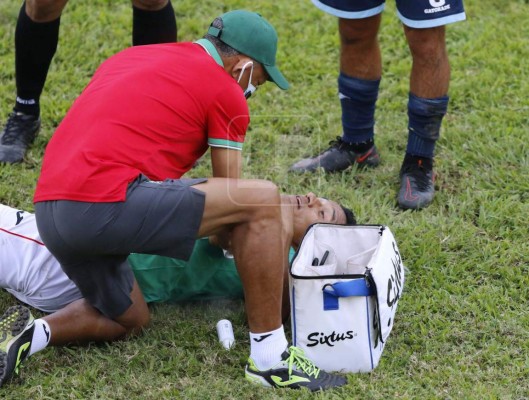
[416, 183]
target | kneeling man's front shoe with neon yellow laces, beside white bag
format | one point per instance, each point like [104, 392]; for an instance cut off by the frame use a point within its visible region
[294, 371]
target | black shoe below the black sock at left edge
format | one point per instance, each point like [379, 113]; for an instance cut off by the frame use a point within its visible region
[19, 133]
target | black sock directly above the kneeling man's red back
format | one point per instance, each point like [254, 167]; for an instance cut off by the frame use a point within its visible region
[149, 27]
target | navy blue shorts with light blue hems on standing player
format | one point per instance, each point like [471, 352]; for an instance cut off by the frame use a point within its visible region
[412, 13]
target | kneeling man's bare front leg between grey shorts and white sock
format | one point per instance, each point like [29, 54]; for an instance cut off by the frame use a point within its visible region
[253, 209]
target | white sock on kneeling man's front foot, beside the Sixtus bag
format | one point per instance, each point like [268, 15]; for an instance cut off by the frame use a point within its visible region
[266, 348]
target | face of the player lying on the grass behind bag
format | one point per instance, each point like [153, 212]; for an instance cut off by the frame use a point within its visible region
[309, 209]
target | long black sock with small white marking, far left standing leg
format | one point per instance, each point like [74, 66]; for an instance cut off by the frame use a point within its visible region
[35, 46]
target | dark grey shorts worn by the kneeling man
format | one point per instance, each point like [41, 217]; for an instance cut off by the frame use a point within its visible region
[93, 240]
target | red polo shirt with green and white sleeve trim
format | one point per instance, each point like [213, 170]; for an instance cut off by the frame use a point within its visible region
[149, 109]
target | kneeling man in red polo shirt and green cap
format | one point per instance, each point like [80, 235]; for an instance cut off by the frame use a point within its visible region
[110, 185]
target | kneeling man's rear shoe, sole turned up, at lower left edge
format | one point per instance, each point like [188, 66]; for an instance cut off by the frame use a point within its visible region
[16, 331]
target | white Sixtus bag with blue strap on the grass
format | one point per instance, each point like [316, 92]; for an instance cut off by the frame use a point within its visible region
[345, 283]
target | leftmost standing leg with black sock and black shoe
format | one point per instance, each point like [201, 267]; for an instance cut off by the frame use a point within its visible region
[36, 38]
